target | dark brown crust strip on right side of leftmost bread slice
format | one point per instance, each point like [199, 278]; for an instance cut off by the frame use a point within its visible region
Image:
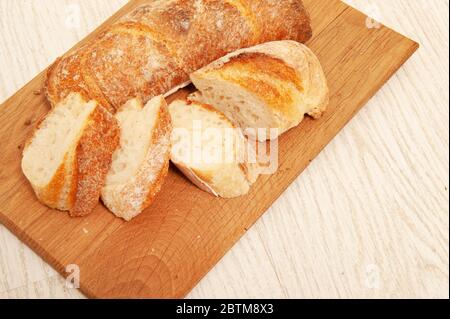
[93, 160]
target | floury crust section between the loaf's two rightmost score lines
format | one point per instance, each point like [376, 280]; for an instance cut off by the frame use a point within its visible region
[195, 30]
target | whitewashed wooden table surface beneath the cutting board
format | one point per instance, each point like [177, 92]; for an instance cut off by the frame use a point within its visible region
[369, 217]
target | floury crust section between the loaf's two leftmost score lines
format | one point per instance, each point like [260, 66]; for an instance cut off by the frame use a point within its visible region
[123, 74]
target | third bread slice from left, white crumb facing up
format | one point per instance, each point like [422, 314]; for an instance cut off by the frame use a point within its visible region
[210, 150]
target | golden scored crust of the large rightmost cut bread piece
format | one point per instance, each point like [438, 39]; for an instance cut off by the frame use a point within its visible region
[275, 72]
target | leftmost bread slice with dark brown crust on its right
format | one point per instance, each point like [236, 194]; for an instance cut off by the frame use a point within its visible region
[67, 158]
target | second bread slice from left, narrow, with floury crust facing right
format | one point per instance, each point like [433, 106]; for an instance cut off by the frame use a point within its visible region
[141, 163]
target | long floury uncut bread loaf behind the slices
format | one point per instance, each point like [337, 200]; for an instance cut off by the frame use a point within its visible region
[152, 50]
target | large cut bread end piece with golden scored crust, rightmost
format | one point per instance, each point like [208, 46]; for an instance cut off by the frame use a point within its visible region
[269, 86]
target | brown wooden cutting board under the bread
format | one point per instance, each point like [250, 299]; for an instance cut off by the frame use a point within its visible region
[164, 252]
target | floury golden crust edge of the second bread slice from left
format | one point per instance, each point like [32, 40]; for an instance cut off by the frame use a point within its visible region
[130, 199]
